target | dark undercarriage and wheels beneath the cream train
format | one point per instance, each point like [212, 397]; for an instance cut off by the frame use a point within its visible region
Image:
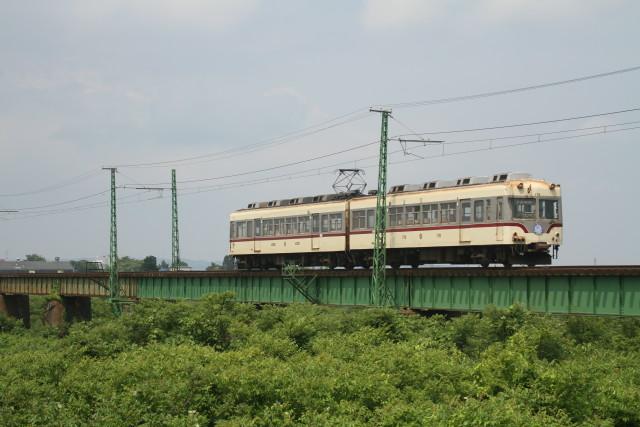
[530, 255]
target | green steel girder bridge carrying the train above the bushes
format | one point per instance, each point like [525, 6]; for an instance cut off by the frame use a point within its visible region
[610, 290]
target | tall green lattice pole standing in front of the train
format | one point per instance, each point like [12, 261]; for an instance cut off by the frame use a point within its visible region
[380, 292]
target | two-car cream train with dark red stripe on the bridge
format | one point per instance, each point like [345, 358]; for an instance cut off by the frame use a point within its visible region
[506, 218]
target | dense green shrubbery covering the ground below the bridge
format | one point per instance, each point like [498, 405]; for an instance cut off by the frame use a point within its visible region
[218, 362]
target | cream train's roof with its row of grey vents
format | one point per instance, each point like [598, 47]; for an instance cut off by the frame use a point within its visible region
[498, 178]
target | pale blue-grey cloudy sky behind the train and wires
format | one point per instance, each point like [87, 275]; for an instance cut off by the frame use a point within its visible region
[88, 84]
